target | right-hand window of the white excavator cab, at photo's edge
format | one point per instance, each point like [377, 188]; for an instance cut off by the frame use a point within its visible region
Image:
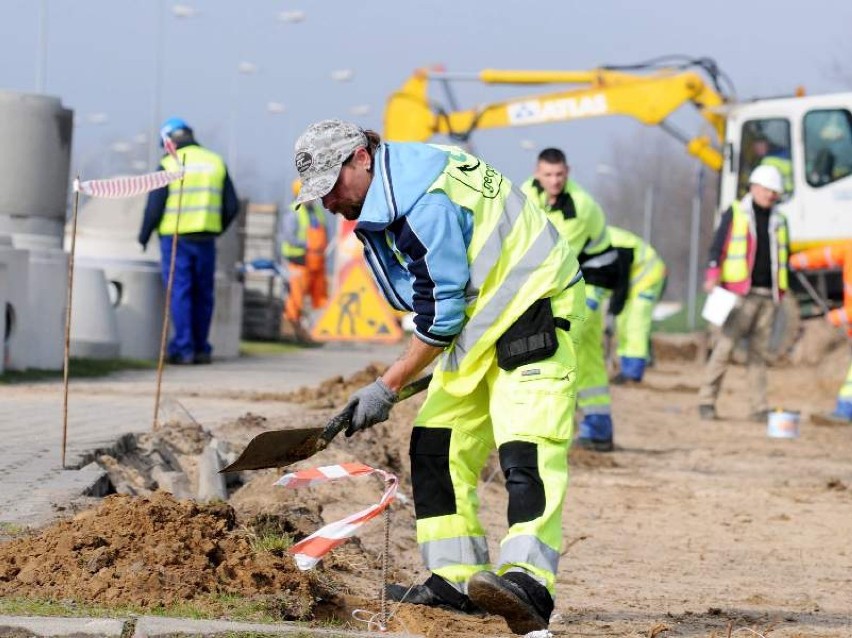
[828, 146]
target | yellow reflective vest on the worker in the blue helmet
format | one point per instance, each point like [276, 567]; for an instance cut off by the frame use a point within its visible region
[201, 206]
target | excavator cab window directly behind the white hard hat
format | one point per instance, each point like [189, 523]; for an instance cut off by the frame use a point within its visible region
[765, 141]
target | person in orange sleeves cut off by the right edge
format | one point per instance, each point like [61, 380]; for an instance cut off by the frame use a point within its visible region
[839, 256]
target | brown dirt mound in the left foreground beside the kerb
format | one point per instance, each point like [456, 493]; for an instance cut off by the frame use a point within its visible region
[153, 552]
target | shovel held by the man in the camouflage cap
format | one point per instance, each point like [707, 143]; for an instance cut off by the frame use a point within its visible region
[280, 448]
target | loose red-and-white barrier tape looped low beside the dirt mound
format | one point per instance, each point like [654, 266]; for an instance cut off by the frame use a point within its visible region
[309, 551]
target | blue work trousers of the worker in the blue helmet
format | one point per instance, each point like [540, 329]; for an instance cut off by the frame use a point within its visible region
[193, 294]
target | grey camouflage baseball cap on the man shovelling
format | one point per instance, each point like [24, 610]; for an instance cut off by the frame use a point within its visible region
[321, 151]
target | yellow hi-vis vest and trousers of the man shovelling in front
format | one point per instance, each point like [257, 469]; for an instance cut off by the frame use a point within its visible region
[515, 258]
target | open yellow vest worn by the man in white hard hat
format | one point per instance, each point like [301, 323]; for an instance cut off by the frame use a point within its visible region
[741, 247]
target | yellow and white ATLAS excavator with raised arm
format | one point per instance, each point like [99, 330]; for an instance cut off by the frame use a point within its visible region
[812, 134]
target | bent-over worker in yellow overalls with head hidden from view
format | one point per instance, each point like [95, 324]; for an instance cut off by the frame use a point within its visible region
[633, 323]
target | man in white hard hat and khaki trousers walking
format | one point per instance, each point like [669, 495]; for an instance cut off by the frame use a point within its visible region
[749, 257]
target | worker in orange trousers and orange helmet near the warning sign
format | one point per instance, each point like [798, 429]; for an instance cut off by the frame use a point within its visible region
[305, 239]
